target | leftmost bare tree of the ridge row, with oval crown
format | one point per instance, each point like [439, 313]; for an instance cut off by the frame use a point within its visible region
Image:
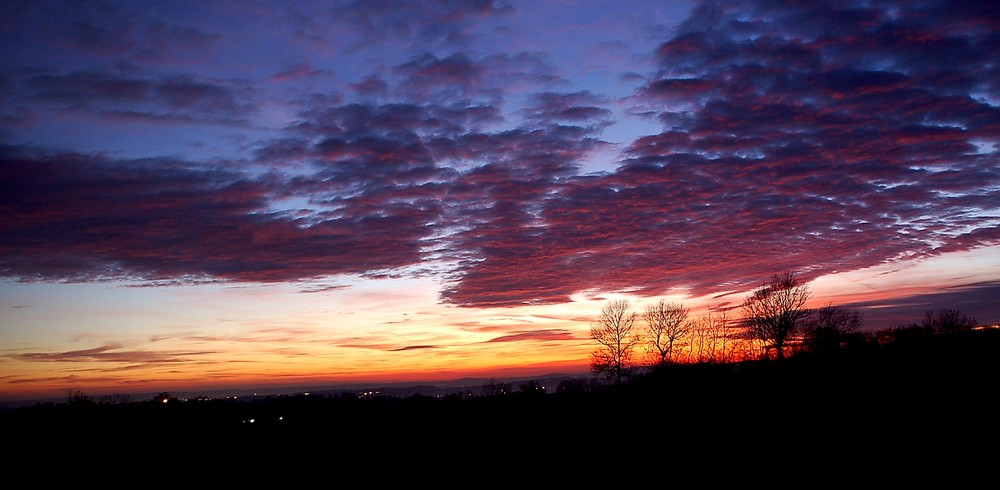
[615, 333]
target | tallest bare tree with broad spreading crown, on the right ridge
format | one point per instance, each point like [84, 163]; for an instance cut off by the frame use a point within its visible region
[775, 311]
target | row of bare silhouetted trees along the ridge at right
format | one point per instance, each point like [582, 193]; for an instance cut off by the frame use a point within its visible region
[773, 321]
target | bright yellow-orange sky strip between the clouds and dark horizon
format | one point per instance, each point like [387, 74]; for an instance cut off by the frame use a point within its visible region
[205, 338]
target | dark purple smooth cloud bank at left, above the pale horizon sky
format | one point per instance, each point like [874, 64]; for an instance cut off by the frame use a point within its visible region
[79, 217]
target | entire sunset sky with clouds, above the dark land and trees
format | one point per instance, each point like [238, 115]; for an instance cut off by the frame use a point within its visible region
[212, 195]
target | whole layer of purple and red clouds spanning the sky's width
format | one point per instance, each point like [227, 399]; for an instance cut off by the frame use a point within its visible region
[820, 138]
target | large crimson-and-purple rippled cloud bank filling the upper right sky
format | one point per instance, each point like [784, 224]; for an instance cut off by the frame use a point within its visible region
[818, 139]
